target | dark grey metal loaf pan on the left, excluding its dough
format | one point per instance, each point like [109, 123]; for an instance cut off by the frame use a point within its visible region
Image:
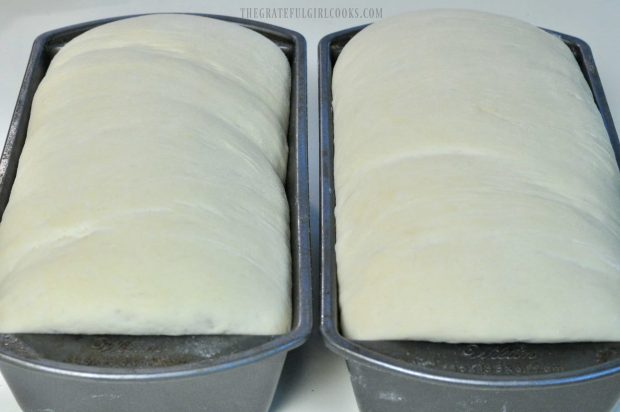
[87, 373]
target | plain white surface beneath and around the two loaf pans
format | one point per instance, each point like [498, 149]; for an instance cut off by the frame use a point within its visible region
[313, 379]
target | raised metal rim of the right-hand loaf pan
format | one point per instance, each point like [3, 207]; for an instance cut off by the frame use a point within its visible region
[353, 350]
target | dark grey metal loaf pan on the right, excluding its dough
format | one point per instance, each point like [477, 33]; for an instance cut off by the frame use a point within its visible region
[391, 376]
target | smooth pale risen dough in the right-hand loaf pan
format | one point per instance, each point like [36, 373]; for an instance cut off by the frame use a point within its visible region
[477, 193]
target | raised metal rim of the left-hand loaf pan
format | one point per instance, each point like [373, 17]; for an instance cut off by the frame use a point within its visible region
[301, 292]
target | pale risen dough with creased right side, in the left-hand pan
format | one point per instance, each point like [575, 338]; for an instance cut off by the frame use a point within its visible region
[149, 195]
